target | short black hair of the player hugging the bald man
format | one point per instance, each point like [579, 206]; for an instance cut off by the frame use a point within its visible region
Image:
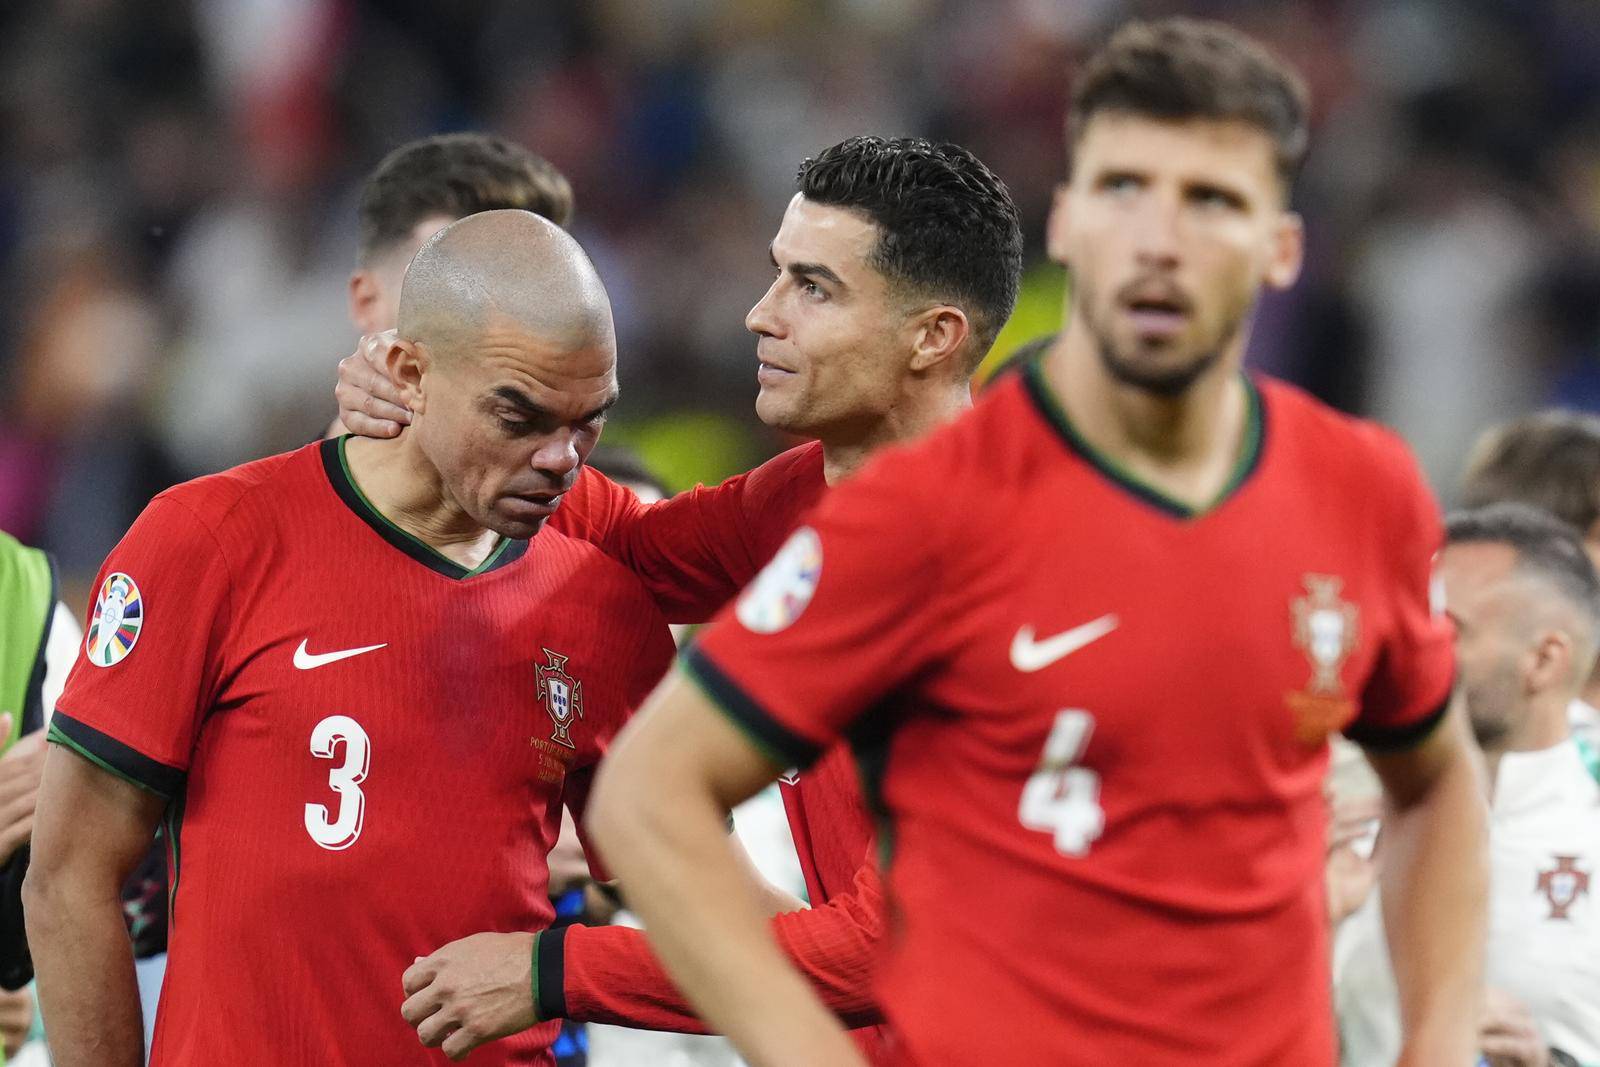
[946, 223]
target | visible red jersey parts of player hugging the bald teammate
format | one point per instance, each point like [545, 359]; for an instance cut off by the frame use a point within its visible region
[695, 553]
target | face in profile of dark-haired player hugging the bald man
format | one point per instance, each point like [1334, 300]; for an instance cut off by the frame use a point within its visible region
[828, 326]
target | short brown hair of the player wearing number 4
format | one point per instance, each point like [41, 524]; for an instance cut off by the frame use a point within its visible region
[1183, 70]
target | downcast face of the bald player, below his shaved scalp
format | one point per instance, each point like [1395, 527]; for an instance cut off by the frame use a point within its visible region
[511, 422]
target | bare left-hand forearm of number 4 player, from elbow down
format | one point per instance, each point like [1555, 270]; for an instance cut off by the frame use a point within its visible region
[706, 924]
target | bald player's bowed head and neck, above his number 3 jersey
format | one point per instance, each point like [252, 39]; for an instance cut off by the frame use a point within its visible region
[506, 358]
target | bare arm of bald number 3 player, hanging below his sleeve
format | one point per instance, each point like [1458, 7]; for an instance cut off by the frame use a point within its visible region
[90, 833]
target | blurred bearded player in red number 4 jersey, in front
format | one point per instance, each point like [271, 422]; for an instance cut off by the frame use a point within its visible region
[1114, 730]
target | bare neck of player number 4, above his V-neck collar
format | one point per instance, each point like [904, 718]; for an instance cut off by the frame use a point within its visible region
[1186, 447]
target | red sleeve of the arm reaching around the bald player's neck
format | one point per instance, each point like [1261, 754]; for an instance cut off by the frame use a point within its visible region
[698, 549]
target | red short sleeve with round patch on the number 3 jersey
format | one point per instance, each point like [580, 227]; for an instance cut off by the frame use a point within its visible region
[150, 666]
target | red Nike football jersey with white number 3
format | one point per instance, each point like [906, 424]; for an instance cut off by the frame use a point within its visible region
[366, 746]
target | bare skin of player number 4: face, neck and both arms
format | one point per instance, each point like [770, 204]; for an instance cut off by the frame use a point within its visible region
[1188, 214]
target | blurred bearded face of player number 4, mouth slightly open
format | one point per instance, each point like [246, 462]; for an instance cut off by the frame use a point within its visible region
[1170, 230]
